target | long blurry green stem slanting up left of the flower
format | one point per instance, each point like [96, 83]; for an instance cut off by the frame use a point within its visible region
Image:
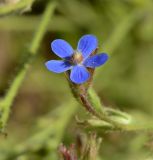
[7, 101]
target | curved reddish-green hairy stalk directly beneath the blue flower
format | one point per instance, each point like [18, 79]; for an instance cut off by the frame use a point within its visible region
[85, 95]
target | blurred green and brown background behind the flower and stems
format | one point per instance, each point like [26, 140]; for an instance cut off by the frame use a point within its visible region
[43, 113]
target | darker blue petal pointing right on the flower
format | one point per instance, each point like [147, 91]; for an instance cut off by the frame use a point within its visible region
[96, 61]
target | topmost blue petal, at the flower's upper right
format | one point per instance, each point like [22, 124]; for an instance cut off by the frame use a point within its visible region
[87, 44]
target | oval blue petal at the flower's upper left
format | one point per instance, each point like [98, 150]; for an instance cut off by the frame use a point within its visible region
[61, 48]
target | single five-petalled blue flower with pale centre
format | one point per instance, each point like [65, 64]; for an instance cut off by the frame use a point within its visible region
[78, 61]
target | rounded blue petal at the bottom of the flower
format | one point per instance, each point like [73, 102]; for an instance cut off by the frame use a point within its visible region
[79, 74]
